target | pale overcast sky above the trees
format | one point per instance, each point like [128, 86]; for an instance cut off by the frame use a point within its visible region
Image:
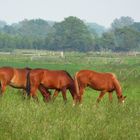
[102, 12]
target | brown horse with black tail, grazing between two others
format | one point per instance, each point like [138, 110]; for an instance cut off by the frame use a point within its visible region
[52, 79]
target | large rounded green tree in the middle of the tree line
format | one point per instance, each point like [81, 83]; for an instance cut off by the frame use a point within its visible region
[70, 34]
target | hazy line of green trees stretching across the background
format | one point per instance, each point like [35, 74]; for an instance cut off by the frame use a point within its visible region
[71, 34]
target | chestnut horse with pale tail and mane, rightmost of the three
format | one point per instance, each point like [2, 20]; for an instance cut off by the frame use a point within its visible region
[104, 82]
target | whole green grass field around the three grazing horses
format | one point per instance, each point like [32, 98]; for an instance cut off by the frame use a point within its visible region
[27, 120]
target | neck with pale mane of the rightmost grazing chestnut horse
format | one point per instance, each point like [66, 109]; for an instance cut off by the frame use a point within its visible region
[117, 85]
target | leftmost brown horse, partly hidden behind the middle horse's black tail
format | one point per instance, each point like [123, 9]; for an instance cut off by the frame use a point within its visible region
[17, 78]
